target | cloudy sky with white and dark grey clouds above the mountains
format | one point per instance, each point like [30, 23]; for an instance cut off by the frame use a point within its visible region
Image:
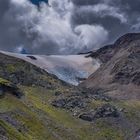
[65, 26]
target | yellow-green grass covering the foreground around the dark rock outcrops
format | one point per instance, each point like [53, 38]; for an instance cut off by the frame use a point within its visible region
[38, 120]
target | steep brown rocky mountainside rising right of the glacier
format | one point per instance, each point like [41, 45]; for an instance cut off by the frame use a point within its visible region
[119, 74]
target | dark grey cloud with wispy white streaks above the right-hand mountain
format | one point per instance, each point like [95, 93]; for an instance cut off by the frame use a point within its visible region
[120, 19]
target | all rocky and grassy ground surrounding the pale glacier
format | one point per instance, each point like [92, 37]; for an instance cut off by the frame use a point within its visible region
[36, 105]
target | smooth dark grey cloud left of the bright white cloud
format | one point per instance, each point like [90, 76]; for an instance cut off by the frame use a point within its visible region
[11, 35]
